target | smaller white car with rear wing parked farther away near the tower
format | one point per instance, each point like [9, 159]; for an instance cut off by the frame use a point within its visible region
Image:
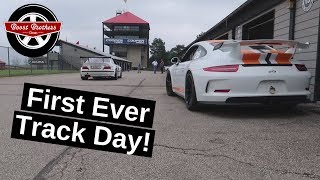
[100, 67]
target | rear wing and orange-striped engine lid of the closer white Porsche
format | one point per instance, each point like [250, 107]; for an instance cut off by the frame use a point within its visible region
[255, 52]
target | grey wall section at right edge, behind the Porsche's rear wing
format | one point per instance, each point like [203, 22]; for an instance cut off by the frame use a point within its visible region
[306, 30]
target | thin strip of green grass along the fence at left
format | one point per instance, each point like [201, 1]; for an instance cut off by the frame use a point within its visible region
[25, 72]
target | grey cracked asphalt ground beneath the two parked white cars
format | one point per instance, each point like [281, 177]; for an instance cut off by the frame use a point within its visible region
[217, 142]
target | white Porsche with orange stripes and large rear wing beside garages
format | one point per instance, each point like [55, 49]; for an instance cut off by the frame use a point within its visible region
[233, 72]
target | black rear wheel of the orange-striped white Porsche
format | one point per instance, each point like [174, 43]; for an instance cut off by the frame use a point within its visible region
[190, 93]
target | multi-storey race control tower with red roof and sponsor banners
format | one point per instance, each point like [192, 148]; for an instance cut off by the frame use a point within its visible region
[127, 37]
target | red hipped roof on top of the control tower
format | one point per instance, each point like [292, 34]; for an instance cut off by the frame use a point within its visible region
[125, 18]
